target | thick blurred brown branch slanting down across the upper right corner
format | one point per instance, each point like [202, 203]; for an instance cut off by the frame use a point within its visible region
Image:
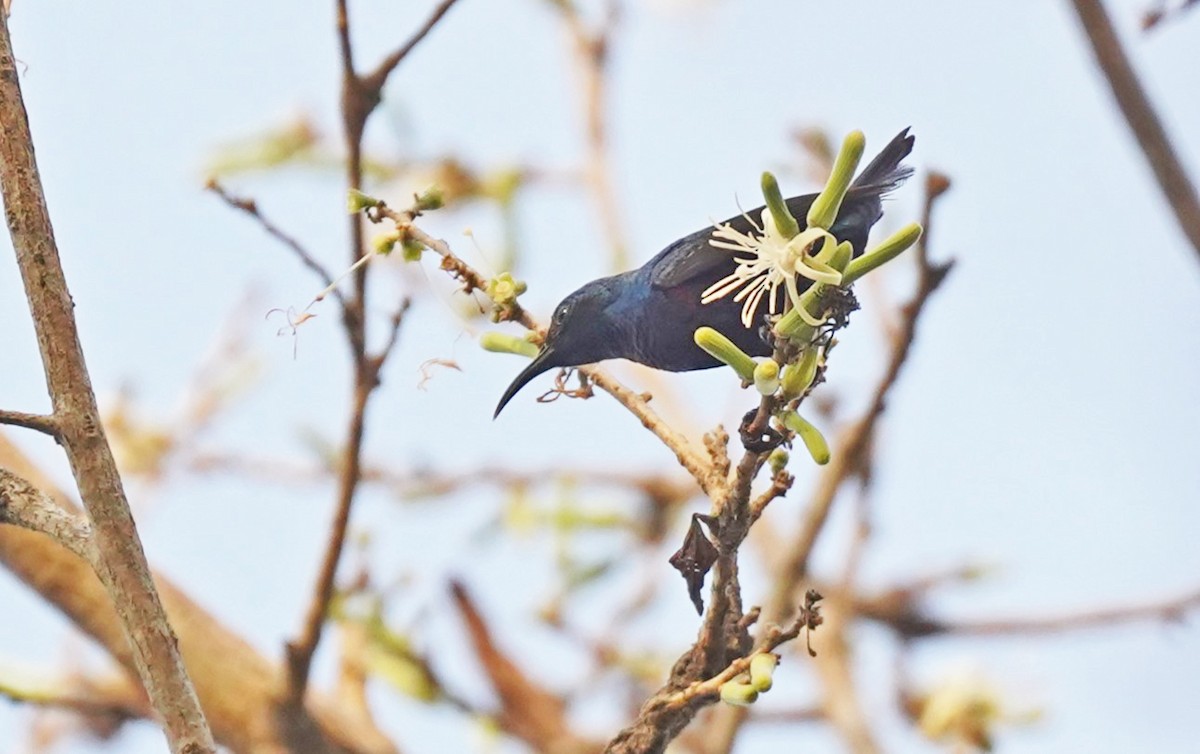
[1139, 113]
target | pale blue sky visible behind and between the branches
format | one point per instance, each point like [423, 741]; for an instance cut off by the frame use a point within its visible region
[1047, 424]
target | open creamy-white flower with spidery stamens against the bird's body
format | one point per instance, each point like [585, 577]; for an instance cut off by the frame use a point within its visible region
[772, 262]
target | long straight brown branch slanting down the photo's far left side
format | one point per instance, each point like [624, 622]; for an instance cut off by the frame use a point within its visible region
[121, 559]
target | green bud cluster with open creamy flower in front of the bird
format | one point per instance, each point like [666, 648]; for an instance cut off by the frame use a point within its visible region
[785, 253]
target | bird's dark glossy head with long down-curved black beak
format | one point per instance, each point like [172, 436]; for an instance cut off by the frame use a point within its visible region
[583, 331]
